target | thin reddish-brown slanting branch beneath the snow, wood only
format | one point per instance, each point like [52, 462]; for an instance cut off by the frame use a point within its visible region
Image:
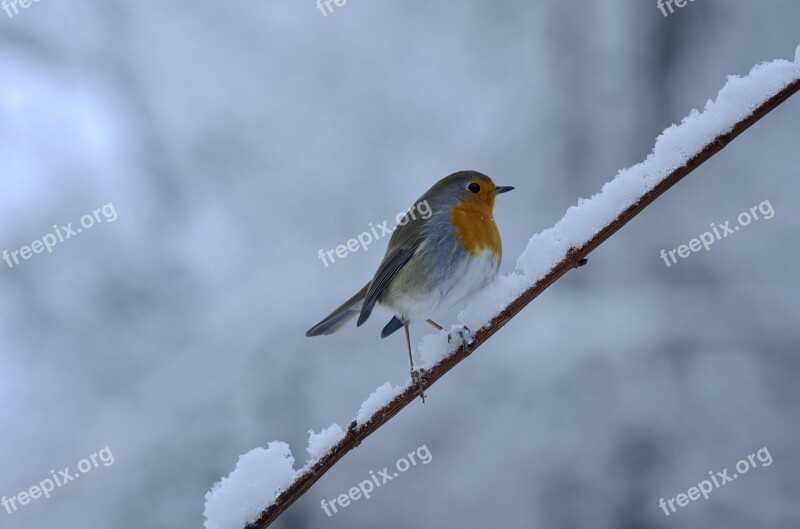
[358, 432]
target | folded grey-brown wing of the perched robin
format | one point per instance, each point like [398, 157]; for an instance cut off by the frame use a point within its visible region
[404, 243]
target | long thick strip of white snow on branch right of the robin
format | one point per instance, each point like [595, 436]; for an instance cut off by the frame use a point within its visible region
[676, 145]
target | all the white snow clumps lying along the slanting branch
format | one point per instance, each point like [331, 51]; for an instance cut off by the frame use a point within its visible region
[261, 474]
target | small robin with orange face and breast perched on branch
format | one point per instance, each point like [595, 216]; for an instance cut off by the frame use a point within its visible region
[432, 260]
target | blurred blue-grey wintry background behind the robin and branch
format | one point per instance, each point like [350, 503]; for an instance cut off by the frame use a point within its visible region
[236, 140]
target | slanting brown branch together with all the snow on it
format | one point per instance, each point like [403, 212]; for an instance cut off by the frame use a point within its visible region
[265, 482]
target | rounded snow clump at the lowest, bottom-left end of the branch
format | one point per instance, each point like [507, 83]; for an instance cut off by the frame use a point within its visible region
[259, 475]
